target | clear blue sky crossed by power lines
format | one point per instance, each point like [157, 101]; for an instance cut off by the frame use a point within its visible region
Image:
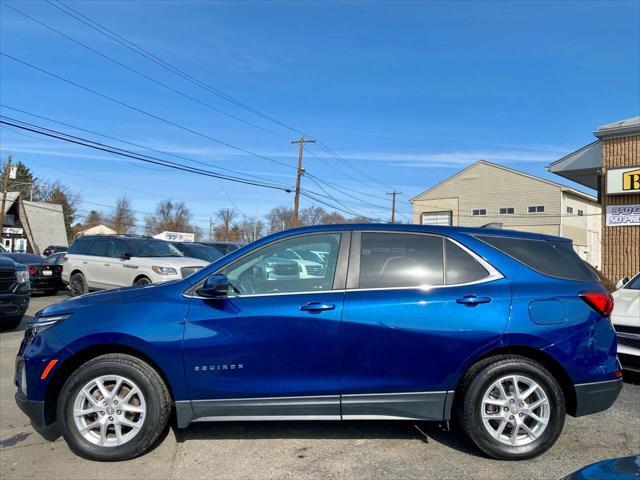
[408, 92]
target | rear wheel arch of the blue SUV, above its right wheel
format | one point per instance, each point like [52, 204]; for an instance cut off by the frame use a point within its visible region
[555, 368]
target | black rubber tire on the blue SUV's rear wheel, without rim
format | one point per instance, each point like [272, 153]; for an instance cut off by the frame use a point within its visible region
[478, 380]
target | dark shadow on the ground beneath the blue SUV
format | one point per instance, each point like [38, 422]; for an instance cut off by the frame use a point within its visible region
[339, 430]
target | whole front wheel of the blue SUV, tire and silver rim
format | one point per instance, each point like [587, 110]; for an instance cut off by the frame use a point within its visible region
[114, 407]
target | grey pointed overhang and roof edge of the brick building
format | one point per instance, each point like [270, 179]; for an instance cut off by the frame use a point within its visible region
[582, 165]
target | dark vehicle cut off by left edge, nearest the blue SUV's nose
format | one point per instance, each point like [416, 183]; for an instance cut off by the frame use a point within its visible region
[14, 292]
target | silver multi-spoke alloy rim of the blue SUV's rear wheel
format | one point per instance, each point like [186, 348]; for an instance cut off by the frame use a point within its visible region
[515, 410]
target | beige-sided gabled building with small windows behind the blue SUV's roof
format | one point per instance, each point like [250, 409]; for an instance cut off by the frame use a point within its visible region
[486, 193]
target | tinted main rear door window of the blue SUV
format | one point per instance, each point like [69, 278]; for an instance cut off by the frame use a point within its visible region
[389, 260]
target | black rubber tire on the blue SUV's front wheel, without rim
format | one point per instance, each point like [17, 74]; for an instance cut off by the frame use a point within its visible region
[156, 396]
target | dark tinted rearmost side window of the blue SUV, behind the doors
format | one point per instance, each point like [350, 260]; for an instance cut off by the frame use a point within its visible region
[552, 258]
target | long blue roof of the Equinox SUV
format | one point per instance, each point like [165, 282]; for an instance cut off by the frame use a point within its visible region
[436, 229]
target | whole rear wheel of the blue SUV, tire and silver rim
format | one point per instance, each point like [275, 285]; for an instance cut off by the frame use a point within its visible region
[512, 408]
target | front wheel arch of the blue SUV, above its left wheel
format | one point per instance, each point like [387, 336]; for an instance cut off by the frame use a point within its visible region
[82, 356]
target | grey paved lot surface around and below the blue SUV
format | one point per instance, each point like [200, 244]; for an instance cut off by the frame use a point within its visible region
[345, 450]
